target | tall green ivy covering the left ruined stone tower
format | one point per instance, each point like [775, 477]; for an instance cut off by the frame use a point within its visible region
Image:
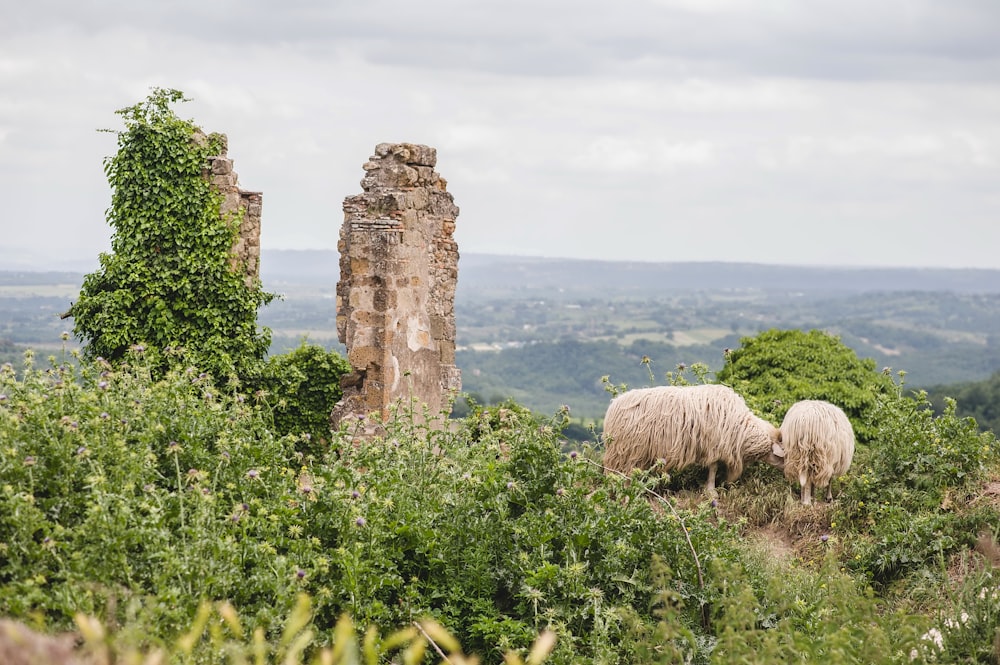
[168, 282]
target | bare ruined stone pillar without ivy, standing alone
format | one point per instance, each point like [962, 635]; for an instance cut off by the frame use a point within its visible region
[396, 294]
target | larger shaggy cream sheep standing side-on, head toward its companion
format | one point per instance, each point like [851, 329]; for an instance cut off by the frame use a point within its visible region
[681, 426]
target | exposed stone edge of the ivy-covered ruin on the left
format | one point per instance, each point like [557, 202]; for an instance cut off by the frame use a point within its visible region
[246, 251]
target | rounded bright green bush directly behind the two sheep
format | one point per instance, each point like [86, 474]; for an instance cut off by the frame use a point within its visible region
[777, 368]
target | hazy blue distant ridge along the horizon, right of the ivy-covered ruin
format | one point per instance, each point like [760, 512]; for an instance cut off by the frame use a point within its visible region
[485, 272]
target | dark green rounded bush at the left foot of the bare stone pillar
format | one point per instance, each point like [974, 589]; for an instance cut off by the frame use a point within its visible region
[301, 388]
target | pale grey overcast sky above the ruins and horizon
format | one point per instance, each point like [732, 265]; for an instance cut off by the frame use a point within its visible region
[841, 132]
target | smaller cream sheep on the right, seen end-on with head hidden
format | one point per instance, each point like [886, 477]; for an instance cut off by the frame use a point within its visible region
[819, 445]
